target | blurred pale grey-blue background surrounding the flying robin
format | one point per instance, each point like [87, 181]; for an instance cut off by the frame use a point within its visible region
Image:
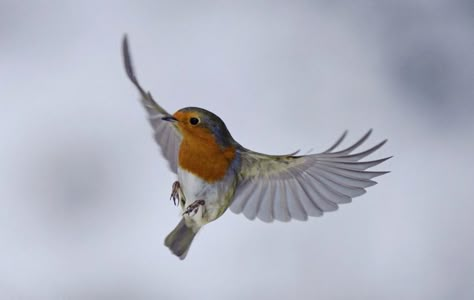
[84, 191]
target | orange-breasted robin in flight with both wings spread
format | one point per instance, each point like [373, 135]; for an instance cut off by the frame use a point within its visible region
[215, 172]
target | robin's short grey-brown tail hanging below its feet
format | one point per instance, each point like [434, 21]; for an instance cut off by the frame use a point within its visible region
[179, 240]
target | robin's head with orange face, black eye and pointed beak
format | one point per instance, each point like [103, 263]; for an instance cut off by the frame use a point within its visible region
[195, 122]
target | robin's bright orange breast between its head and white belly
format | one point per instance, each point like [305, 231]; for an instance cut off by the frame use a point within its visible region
[205, 158]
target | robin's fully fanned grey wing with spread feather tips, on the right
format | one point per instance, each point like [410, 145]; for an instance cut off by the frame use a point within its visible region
[294, 187]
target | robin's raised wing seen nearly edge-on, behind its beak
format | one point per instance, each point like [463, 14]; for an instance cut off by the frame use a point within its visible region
[165, 133]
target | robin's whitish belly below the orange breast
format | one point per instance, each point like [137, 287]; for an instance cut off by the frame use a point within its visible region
[216, 196]
